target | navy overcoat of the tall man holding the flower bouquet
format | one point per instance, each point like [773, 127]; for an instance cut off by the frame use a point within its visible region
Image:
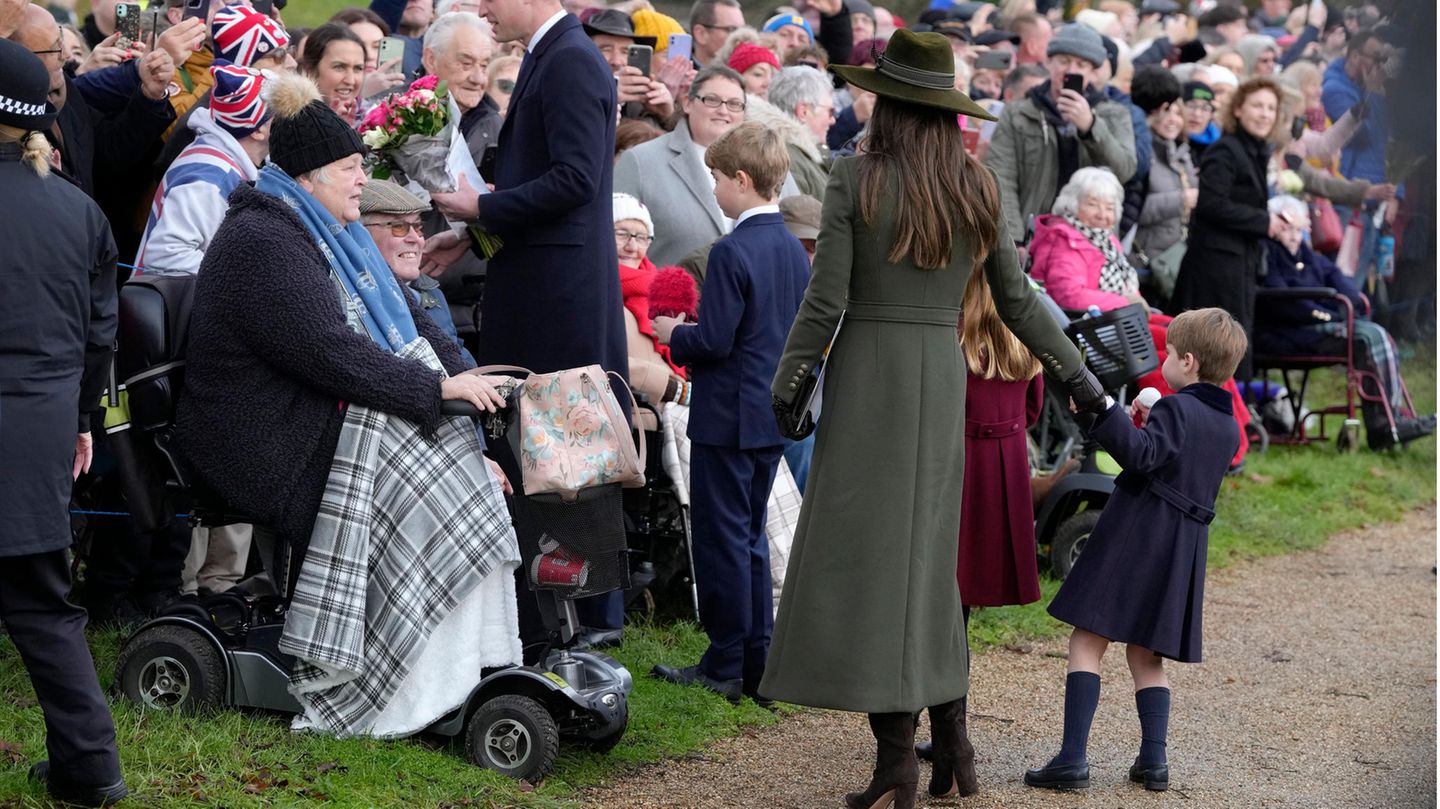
[552, 294]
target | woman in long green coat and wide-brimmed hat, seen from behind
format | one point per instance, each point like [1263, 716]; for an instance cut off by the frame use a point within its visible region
[870, 617]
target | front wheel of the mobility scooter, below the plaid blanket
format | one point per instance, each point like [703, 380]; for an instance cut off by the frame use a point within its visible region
[513, 736]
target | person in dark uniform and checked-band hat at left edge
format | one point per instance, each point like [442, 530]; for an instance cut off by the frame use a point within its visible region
[57, 329]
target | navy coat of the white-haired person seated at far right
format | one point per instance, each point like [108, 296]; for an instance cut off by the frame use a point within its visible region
[1281, 323]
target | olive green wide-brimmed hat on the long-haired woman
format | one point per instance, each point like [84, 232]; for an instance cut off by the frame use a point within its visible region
[917, 68]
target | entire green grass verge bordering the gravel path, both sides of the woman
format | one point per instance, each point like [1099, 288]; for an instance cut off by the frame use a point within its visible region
[1290, 500]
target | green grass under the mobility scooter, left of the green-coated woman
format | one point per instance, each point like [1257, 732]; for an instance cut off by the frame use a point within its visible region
[253, 759]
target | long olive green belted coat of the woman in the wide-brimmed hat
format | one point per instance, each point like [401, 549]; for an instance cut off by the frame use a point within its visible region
[870, 615]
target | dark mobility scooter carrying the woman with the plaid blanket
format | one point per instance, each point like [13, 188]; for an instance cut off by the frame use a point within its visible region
[222, 650]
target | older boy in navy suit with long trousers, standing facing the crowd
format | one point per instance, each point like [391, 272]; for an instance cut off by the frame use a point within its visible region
[755, 283]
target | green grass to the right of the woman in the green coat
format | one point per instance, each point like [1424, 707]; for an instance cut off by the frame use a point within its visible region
[1288, 500]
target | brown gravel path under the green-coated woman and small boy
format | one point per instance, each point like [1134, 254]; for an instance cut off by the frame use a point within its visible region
[1318, 690]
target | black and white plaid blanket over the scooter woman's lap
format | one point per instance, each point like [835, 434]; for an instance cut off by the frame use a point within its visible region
[407, 530]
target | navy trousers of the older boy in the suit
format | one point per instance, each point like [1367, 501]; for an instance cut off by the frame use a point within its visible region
[729, 490]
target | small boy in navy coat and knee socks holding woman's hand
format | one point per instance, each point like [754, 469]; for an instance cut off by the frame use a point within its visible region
[1143, 577]
